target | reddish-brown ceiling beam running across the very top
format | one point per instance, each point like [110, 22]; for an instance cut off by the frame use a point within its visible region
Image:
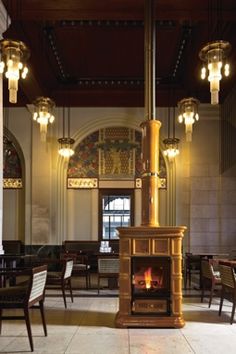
[194, 10]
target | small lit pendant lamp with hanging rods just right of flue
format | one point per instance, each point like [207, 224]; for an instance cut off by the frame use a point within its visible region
[171, 149]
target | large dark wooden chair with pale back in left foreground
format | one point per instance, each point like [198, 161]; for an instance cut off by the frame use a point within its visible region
[24, 296]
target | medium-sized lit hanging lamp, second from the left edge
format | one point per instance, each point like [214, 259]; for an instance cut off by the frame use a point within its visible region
[43, 114]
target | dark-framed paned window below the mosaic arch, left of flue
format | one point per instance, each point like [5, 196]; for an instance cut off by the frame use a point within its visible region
[115, 211]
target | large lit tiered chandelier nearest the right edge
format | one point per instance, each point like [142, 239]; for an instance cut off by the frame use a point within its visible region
[214, 54]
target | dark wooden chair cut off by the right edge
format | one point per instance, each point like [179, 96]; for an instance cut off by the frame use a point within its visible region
[228, 288]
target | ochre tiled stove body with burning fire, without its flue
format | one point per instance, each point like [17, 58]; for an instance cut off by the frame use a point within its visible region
[150, 277]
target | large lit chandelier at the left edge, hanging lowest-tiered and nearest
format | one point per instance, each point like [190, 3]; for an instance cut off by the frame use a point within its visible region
[14, 55]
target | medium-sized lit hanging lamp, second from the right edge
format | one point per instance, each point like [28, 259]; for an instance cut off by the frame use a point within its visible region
[188, 113]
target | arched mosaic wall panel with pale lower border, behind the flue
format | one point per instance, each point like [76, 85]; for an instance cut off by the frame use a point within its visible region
[110, 153]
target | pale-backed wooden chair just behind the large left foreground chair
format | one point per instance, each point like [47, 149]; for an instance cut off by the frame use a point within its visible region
[62, 279]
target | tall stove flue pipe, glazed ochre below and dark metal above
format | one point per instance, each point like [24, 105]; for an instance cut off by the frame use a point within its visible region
[150, 127]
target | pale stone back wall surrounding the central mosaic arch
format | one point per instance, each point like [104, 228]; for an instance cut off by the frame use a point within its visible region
[205, 200]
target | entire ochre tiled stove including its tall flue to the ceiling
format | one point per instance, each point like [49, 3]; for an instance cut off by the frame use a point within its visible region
[150, 255]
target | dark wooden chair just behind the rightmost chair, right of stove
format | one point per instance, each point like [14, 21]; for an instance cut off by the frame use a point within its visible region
[210, 279]
